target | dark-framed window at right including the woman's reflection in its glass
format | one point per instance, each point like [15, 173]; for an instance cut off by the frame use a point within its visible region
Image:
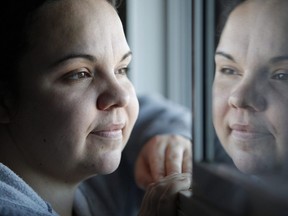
[218, 185]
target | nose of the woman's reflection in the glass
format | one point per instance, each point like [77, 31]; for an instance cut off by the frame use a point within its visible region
[248, 95]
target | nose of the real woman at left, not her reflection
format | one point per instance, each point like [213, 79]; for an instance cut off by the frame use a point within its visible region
[113, 96]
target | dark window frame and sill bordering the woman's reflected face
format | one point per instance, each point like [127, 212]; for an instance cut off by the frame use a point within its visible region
[218, 188]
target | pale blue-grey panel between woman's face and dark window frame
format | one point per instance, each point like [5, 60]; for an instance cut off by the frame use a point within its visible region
[159, 33]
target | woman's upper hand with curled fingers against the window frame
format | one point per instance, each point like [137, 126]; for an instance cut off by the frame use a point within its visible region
[161, 156]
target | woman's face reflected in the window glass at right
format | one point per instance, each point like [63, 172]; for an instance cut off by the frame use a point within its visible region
[250, 90]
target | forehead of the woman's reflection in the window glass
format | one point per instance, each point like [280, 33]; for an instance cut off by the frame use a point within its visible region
[255, 28]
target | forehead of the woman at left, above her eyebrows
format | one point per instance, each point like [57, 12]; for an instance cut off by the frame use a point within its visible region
[77, 26]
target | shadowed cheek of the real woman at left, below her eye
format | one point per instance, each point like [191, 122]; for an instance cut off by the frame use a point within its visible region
[58, 126]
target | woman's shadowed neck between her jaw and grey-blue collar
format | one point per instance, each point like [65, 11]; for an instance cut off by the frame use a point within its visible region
[56, 191]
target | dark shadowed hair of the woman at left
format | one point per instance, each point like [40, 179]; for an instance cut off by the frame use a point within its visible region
[15, 19]
